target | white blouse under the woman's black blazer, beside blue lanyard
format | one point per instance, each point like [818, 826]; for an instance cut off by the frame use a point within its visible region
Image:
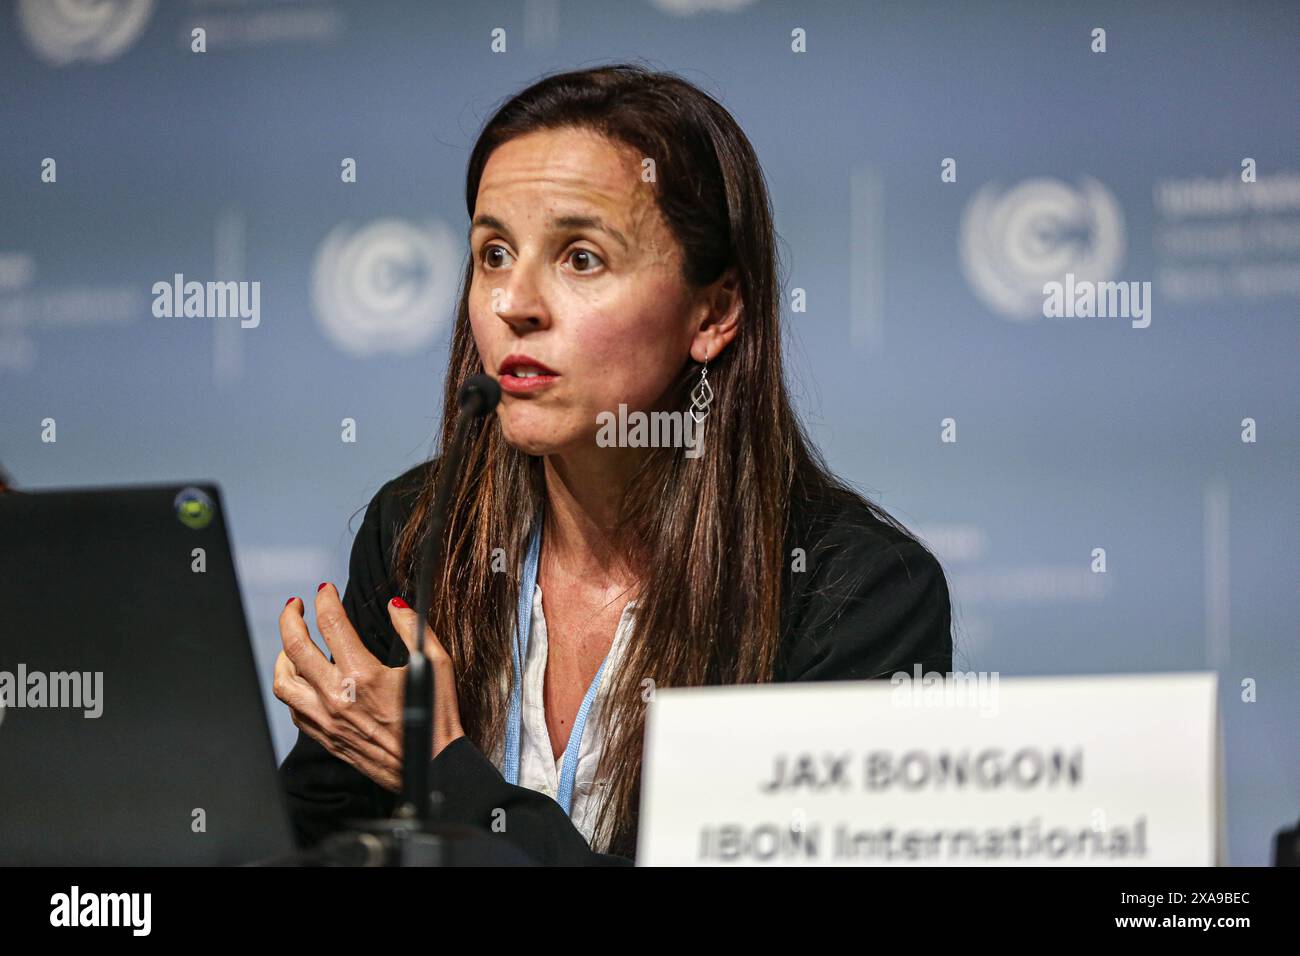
[538, 769]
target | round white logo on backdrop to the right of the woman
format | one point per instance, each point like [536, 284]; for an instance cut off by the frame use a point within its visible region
[1015, 243]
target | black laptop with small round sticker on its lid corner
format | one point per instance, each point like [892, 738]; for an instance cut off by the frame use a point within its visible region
[132, 720]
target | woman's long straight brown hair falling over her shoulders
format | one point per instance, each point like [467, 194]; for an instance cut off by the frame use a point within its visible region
[710, 531]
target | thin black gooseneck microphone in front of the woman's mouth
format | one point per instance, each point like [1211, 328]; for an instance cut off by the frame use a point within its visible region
[478, 397]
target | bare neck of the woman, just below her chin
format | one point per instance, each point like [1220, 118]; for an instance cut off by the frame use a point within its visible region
[583, 498]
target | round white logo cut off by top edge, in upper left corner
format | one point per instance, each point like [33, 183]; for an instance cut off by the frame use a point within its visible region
[64, 32]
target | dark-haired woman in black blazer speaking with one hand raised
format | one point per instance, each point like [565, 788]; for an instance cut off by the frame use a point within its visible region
[622, 263]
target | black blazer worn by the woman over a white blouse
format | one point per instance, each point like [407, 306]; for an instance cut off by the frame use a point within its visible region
[870, 602]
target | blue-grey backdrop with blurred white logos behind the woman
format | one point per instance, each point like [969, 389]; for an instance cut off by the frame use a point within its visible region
[922, 293]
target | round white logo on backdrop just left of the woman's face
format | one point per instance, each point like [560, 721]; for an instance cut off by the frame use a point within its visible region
[384, 288]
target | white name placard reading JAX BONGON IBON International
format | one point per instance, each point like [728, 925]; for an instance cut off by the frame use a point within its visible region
[1081, 772]
